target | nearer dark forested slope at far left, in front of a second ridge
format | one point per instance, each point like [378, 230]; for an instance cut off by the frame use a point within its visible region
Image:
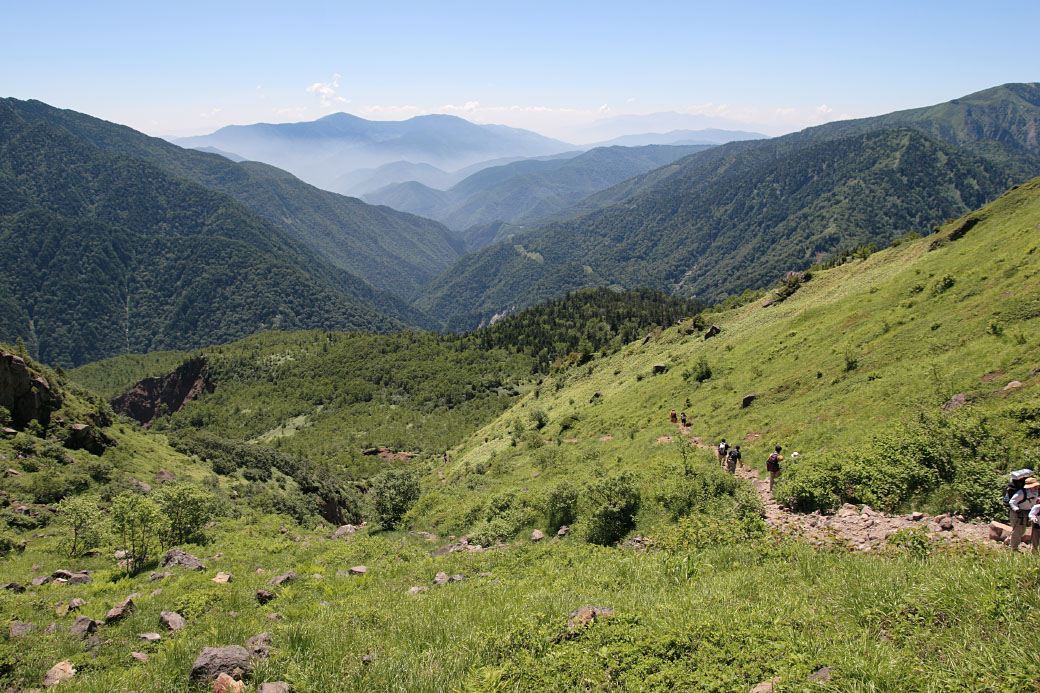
[107, 254]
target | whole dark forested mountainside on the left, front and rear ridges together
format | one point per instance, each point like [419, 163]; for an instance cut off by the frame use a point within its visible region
[116, 243]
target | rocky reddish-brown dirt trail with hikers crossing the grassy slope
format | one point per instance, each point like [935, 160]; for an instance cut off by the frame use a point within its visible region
[862, 527]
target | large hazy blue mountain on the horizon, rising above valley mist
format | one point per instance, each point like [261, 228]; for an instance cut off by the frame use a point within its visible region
[322, 151]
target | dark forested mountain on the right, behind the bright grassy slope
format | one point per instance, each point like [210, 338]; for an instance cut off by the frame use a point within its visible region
[739, 216]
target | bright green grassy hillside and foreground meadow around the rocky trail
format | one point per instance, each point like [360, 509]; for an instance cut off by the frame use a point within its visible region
[713, 602]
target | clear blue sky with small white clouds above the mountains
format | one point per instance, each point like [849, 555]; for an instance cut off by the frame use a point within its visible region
[554, 67]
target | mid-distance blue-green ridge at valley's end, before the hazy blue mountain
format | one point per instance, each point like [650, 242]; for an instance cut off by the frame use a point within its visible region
[527, 192]
